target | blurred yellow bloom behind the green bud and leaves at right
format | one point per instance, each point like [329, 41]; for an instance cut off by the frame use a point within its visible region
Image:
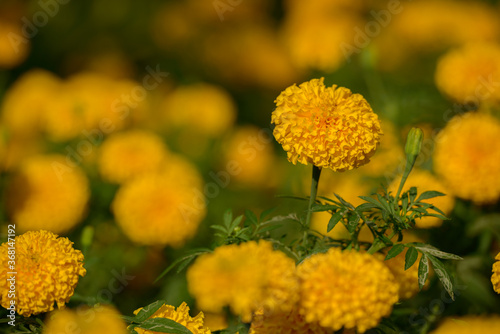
[424, 181]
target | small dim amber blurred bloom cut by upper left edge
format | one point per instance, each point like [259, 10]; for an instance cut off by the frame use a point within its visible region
[14, 47]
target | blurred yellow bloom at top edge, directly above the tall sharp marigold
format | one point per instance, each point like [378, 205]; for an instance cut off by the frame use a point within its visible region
[316, 32]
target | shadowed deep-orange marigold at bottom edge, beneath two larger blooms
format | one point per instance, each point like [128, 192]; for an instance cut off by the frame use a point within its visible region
[284, 323]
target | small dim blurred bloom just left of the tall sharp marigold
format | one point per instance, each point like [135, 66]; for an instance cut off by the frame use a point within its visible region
[248, 157]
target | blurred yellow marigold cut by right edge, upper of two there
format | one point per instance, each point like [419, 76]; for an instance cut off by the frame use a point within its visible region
[466, 74]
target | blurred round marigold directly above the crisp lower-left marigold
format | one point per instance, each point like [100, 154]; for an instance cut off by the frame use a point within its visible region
[45, 193]
